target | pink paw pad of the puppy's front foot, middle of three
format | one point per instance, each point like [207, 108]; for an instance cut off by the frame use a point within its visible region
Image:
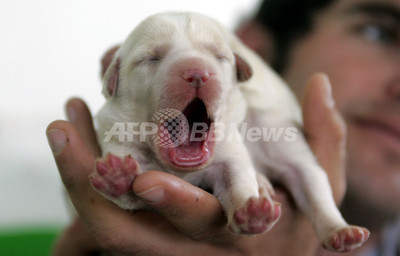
[256, 216]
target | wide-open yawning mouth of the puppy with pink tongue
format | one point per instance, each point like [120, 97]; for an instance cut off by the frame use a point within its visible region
[190, 140]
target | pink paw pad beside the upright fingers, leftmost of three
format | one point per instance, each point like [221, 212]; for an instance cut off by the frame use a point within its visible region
[114, 176]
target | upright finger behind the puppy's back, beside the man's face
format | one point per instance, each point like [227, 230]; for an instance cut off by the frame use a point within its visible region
[326, 131]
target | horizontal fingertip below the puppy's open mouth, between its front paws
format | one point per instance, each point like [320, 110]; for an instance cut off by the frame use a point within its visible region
[190, 209]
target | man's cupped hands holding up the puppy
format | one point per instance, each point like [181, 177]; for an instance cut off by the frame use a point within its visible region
[188, 219]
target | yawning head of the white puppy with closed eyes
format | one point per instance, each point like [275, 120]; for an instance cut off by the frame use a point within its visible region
[180, 61]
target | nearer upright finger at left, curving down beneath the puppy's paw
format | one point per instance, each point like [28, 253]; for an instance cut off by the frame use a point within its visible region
[112, 228]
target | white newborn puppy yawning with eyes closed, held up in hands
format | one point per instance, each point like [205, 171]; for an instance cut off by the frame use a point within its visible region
[180, 91]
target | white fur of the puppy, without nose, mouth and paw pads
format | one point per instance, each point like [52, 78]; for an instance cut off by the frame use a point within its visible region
[149, 60]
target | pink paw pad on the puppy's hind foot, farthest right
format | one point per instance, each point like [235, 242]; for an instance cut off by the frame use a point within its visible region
[346, 239]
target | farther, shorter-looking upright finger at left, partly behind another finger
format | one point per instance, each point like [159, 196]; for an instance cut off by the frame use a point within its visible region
[79, 115]
